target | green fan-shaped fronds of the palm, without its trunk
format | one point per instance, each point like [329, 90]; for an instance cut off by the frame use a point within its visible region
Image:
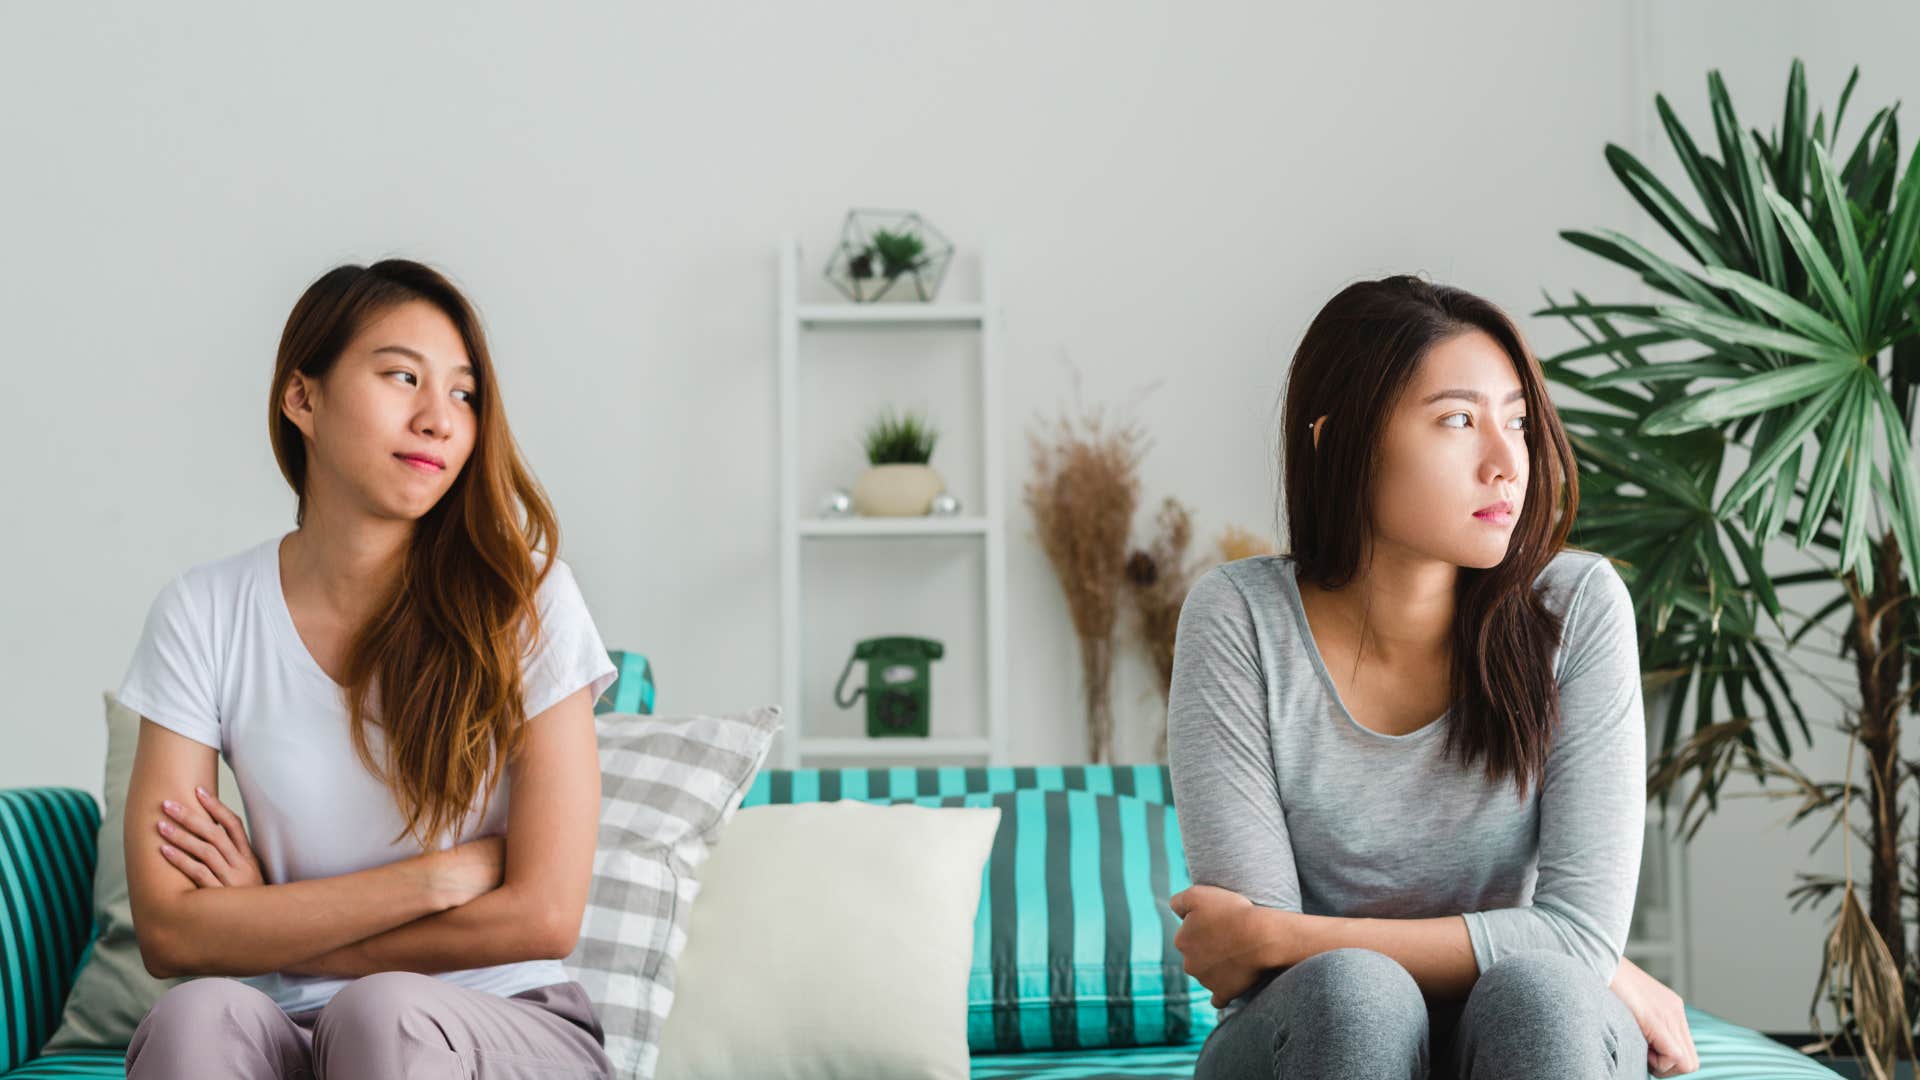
[1769, 387]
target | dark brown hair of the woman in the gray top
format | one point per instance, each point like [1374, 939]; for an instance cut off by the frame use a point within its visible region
[1355, 364]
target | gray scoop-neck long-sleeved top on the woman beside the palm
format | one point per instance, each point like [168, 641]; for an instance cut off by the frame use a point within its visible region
[1289, 802]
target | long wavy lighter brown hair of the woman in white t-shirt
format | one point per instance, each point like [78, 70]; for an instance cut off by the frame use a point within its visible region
[439, 662]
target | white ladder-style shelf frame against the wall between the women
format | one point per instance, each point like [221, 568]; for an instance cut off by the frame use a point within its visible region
[796, 529]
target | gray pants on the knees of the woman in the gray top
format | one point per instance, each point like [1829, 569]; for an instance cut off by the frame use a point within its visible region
[1358, 1016]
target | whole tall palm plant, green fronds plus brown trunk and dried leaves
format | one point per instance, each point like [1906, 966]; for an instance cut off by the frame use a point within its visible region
[1767, 391]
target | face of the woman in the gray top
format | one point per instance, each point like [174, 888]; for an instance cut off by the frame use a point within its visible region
[1454, 445]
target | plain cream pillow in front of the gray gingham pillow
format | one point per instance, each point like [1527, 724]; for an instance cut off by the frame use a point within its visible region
[834, 943]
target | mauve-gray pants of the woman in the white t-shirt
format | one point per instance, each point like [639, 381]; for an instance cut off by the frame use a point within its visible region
[389, 1025]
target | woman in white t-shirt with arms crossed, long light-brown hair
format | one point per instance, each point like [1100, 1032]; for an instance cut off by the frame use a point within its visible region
[381, 681]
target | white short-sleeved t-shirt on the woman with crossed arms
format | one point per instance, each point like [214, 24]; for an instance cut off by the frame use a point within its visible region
[222, 664]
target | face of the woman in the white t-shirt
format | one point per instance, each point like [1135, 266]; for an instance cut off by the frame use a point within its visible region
[393, 422]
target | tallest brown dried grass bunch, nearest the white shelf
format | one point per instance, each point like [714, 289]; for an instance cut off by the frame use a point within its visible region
[1084, 491]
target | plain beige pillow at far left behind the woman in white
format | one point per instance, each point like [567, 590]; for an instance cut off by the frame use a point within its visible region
[112, 991]
